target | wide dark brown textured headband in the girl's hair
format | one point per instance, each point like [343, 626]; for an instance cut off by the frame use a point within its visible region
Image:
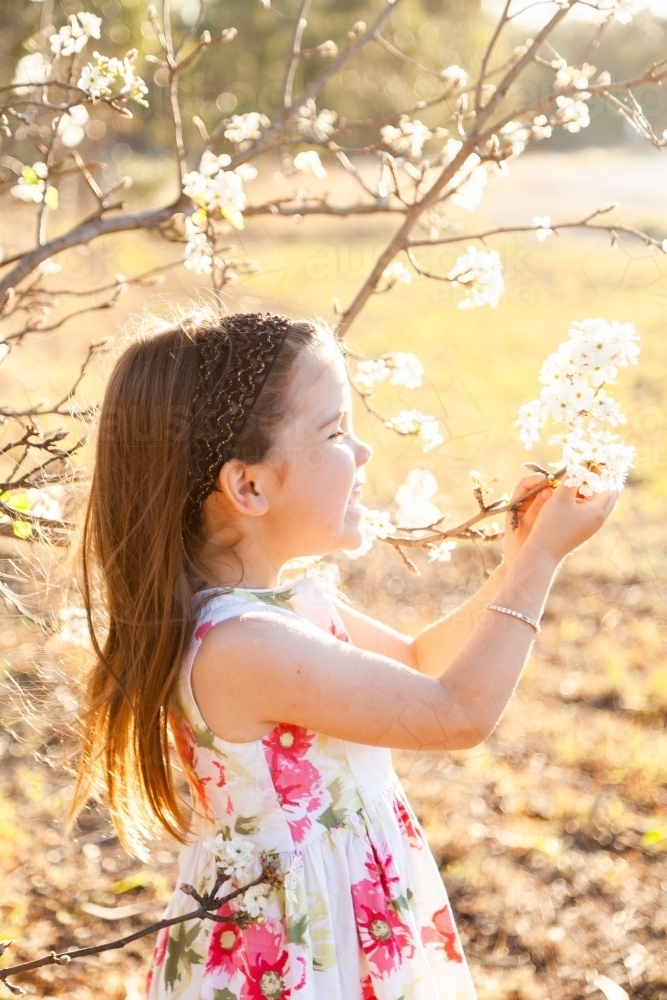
[234, 361]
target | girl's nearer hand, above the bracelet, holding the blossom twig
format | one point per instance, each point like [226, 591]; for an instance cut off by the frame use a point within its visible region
[567, 520]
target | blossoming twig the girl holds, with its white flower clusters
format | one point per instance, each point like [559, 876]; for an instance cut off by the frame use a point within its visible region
[573, 400]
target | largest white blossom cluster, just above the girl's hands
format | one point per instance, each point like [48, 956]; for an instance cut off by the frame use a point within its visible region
[573, 398]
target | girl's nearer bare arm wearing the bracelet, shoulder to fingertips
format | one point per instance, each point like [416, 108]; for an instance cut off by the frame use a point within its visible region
[256, 671]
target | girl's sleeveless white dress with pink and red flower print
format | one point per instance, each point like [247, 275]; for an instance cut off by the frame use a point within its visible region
[360, 912]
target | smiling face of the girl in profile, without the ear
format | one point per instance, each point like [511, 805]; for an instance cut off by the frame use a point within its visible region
[315, 508]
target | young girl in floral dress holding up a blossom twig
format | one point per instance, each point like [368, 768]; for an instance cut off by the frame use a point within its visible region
[226, 449]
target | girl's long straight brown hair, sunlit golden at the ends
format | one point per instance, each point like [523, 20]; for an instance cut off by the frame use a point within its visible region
[138, 560]
